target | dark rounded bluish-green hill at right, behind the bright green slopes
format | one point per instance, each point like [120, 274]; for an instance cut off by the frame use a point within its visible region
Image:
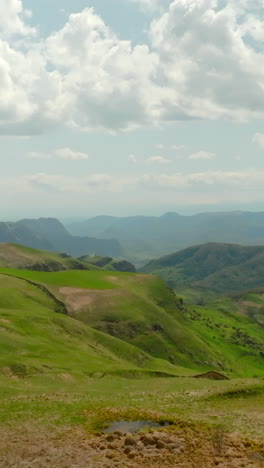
[211, 269]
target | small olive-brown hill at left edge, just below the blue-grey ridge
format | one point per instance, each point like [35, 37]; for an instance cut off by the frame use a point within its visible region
[18, 256]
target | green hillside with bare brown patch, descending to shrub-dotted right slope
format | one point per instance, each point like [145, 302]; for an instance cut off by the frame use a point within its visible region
[140, 310]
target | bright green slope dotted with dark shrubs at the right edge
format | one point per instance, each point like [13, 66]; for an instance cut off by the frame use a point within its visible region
[241, 341]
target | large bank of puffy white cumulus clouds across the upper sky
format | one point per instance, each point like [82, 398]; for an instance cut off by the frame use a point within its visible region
[203, 60]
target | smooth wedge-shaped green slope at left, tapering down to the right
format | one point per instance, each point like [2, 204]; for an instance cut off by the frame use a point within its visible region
[35, 341]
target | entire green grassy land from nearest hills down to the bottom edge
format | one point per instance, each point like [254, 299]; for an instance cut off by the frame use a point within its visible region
[81, 350]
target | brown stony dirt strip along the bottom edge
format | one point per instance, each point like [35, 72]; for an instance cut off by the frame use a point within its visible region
[30, 447]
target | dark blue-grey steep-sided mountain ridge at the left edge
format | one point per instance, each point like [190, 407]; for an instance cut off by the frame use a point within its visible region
[50, 234]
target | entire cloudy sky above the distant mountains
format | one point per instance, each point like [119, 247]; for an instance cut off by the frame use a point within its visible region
[125, 107]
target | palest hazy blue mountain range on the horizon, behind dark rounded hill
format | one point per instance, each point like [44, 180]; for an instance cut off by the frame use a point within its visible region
[145, 237]
